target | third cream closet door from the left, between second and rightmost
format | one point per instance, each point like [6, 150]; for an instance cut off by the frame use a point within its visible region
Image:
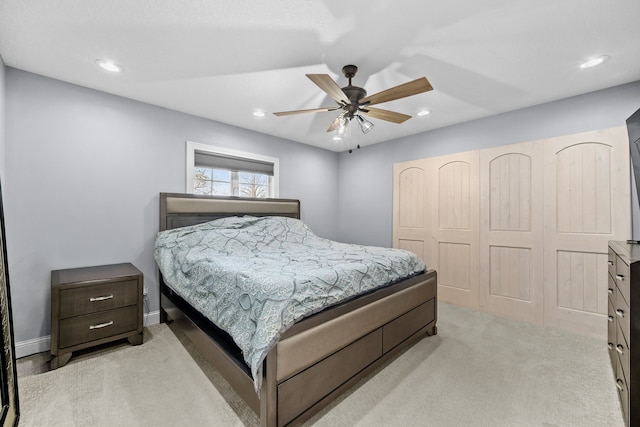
[511, 231]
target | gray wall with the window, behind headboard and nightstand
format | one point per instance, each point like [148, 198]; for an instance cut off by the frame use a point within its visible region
[85, 169]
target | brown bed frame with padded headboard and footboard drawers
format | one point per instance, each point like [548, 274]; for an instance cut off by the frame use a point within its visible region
[320, 356]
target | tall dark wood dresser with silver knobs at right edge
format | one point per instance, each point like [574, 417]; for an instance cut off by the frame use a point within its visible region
[624, 325]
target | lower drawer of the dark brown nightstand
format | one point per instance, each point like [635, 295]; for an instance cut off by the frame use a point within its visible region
[91, 327]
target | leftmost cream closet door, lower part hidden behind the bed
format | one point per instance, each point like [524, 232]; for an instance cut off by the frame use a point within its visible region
[410, 215]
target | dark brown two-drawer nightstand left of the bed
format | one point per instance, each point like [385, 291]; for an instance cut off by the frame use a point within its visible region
[92, 306]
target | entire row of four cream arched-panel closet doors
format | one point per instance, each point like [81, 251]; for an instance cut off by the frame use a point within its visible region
[521, 230]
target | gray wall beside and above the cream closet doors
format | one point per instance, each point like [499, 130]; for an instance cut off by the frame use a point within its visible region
[366, 176]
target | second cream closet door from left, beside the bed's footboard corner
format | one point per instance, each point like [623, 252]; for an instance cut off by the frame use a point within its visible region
[454, 251]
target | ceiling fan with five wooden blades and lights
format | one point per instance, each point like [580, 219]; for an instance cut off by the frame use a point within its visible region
[354, 102]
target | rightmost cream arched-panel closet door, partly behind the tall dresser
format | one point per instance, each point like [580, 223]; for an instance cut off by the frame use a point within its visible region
[587, 203]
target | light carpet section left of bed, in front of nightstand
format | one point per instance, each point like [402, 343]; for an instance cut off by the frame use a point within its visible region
[154, 384]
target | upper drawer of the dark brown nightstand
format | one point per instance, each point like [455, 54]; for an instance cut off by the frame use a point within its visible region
[95, 298]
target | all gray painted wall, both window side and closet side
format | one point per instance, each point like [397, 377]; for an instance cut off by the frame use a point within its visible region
[85, 168]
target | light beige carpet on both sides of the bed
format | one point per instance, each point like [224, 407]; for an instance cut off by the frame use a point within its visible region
[480, 370]
